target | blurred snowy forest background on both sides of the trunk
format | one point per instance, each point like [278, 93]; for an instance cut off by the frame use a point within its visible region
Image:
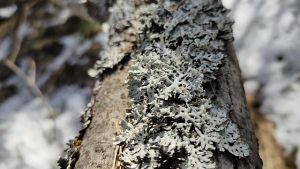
[47, 47]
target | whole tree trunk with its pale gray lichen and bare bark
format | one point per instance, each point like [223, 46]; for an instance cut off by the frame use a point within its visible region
[184, 104]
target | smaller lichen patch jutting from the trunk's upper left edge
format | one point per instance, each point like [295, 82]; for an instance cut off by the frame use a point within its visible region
[126, 23]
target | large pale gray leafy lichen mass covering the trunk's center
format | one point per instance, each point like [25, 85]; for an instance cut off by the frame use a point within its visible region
[172, 123]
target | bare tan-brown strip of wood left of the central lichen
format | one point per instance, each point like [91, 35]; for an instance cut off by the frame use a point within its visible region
[97, 149]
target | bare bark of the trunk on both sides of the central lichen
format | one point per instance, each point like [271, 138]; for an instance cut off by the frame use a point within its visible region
[98, 151]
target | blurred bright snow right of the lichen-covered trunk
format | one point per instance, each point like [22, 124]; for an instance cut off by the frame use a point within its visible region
[267, 34]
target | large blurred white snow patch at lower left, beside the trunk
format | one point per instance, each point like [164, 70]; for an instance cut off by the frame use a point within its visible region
[31, 136]
